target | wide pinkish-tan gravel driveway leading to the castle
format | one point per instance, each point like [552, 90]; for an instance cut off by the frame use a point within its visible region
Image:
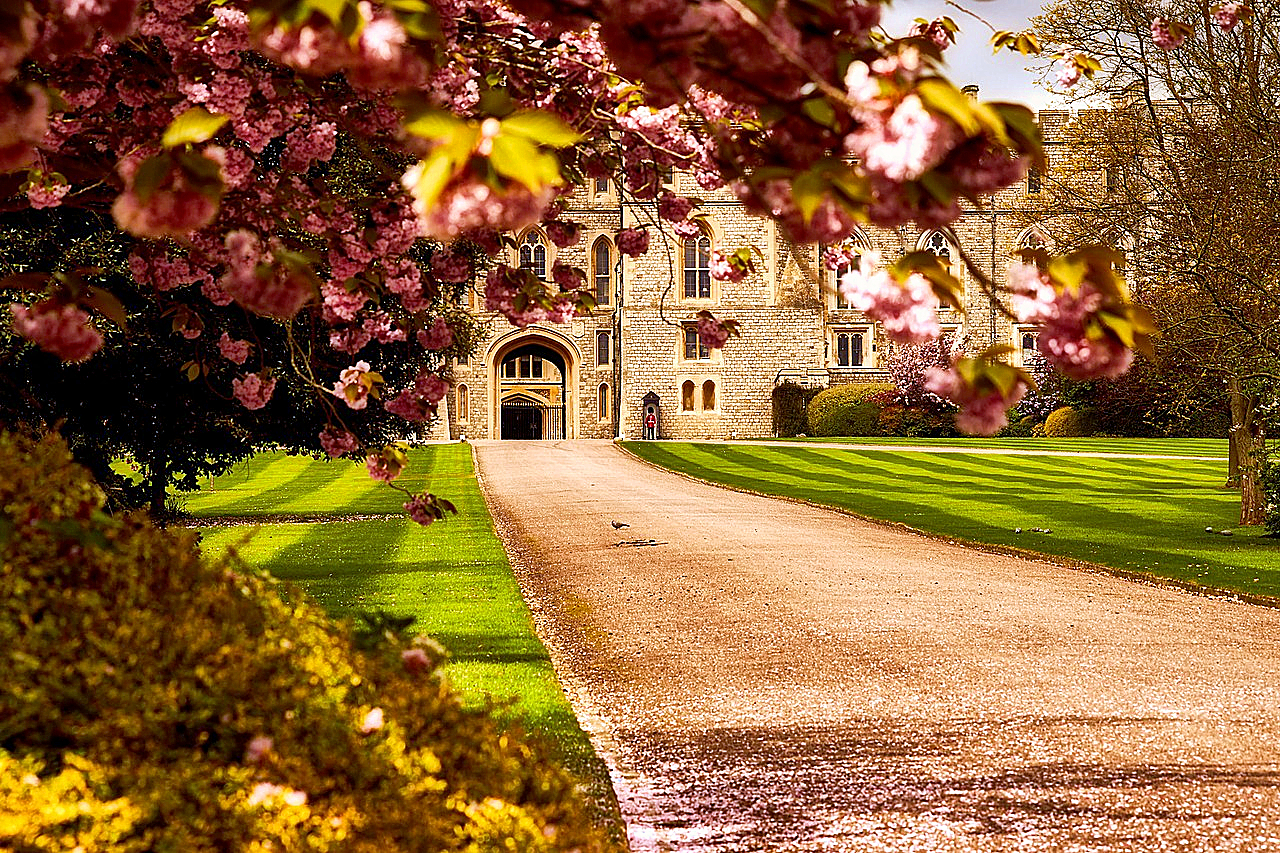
[772, 677]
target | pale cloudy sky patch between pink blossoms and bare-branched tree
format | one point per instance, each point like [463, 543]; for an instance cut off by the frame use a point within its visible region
[1002, 77]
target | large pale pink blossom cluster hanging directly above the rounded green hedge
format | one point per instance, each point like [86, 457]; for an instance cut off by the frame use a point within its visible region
[908, 311]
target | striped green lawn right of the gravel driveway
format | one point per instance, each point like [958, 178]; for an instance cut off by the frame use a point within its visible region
[1146, 517]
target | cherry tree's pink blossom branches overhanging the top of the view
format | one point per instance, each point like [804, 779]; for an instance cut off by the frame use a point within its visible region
[207, 127]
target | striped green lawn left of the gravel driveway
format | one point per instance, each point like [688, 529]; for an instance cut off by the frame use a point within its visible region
[454, 577]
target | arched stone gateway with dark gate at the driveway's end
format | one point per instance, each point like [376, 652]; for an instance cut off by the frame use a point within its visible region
[534, 381]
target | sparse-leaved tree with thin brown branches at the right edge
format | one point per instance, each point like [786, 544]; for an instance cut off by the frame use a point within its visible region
[1180, 171]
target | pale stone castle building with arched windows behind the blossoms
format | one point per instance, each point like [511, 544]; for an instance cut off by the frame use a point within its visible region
[596, 377]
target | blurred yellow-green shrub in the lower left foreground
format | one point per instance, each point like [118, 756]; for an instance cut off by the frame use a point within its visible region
[158, 701]
